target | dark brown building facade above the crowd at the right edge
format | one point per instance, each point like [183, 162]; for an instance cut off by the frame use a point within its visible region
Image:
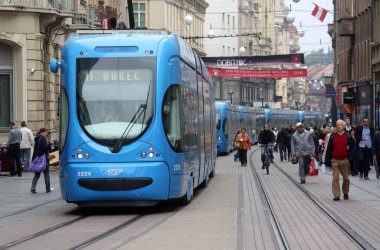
[352, 41]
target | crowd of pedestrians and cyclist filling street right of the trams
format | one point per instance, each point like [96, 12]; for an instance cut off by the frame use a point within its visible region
[346, 149]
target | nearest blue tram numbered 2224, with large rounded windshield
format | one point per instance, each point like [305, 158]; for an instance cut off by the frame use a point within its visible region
[135, 117]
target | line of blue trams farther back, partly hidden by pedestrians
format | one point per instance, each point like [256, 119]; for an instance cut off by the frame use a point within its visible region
[231, 117]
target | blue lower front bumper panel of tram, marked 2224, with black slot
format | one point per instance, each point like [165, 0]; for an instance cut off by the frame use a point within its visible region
[115, 182]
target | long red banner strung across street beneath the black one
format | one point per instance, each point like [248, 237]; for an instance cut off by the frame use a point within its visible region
[257, 73]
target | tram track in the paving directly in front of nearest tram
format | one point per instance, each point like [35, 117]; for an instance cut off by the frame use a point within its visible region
[108, 223]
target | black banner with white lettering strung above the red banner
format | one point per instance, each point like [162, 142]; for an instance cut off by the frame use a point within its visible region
[243, 61]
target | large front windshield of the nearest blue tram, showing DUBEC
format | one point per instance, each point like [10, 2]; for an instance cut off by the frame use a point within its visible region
[110, 91]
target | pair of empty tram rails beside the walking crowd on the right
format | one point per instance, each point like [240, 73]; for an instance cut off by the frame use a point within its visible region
[357, 239]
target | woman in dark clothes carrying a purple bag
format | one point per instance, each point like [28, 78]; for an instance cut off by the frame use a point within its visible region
[41, 148]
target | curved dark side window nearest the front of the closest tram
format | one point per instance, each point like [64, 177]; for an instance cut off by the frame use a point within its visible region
[171, 117]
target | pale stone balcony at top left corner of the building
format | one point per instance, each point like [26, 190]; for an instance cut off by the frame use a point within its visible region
[40, 5]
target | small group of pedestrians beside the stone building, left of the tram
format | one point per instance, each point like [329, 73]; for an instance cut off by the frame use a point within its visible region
[18, 147]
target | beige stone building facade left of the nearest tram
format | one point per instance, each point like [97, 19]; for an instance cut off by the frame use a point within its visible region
[32, 33]
